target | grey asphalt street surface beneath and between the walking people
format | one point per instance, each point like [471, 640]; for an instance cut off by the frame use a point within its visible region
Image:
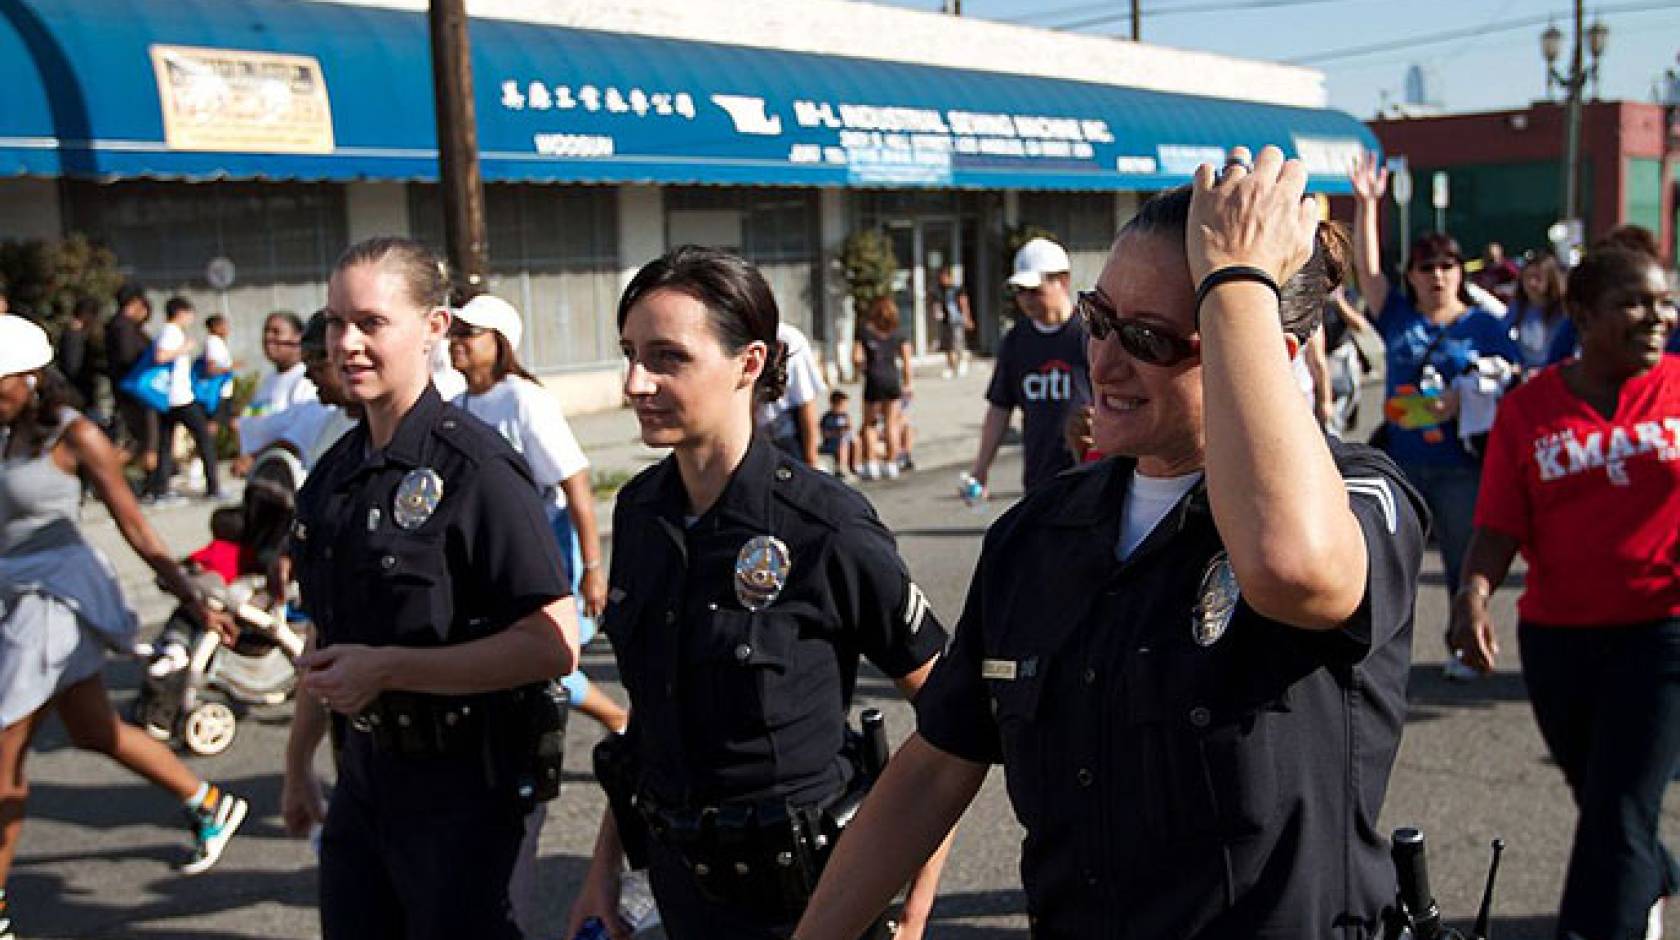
[97, 850]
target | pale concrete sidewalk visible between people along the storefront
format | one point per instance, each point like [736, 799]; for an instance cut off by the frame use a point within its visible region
[947, 415]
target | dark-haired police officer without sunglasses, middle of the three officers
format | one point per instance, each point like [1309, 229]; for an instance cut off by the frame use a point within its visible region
[745, 587]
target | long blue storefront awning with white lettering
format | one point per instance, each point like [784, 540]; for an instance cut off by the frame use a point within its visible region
[298, 90]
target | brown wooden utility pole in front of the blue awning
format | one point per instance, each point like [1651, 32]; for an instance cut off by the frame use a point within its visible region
[458, 145]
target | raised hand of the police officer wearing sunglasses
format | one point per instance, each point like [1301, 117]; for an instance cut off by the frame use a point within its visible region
[1251, 216]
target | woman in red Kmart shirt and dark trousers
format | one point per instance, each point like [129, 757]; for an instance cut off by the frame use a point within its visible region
[1583, 478]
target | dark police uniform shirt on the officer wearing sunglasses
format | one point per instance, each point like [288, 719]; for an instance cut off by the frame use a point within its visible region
[1173, 790]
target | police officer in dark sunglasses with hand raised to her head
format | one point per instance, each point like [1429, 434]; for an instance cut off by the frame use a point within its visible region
[1192, 657]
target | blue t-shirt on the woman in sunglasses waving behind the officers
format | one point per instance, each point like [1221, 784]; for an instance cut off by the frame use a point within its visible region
[1409, 338]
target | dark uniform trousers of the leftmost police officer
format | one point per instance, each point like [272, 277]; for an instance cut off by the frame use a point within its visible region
[417, 850]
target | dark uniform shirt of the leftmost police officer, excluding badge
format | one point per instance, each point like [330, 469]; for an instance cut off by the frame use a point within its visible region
[485, 560]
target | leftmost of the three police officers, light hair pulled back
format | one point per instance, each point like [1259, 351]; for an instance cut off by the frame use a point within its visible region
[441, 615]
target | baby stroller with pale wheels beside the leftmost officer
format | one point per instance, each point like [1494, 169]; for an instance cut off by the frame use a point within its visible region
[196, 687]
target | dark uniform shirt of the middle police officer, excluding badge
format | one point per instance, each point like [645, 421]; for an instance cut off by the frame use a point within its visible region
[737, 706]
